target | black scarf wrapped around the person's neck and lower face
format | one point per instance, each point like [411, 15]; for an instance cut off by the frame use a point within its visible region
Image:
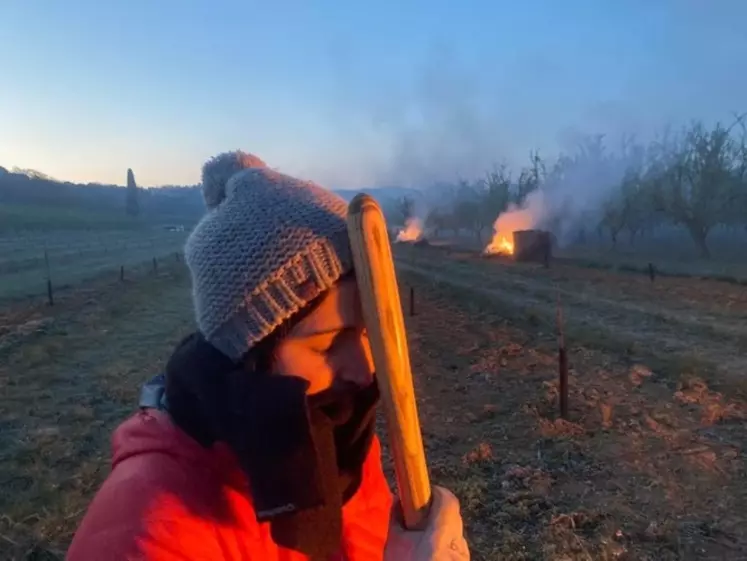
[303, 456]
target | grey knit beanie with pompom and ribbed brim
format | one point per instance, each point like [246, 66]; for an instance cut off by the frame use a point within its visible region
[268, 245]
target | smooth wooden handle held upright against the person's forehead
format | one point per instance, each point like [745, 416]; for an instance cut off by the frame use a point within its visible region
[382, 312]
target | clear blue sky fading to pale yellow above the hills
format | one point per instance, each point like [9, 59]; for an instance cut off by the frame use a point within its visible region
[350, 94]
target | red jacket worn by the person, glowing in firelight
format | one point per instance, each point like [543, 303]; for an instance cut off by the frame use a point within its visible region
[169, 499]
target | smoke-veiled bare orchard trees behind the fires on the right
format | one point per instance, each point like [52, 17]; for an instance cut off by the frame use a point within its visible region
[694, 178]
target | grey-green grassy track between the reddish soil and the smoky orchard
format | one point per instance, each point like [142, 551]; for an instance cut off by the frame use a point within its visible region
[618, 311]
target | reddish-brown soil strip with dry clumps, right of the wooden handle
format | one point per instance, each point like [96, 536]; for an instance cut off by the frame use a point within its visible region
[640, 471]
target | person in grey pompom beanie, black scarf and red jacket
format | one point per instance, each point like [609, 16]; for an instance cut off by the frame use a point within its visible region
[258, 442]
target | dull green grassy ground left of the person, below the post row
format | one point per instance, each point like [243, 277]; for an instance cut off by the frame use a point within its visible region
[68, 376]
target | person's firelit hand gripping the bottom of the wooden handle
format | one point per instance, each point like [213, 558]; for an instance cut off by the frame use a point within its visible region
[441, 540]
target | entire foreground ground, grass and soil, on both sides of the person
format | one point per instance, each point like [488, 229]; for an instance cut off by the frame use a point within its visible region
[650, 465]
